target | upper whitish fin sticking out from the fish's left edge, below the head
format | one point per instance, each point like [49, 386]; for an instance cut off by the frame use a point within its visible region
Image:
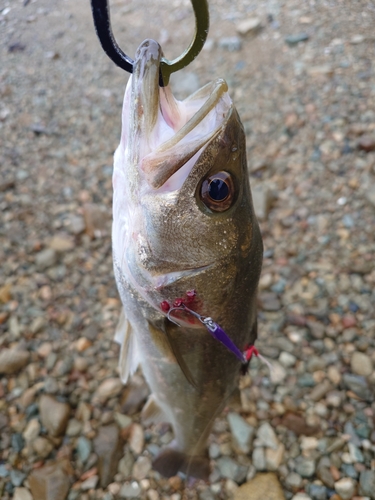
[129, 355]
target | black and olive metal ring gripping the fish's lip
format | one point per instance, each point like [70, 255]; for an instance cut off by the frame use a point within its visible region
[100, 12]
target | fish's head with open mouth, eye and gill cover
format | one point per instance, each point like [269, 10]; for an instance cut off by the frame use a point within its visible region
[183, 213]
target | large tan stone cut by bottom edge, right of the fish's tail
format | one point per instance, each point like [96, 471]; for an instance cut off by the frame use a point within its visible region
[263, 486]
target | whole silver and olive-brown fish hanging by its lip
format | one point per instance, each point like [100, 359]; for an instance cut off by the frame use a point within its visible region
[186, 247]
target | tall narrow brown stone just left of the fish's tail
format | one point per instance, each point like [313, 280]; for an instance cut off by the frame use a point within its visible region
[108, 447]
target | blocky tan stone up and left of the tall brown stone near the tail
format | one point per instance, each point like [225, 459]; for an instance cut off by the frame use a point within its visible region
[53, 415]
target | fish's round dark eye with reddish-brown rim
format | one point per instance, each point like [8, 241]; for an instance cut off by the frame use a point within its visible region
[217, 191]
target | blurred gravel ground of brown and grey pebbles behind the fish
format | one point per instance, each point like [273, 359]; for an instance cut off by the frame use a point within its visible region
[303, 81]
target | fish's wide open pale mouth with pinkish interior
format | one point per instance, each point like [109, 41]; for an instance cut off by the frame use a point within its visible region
[173, 132]
